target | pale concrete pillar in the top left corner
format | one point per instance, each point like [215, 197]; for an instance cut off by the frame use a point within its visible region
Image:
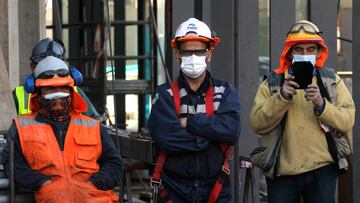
[22, 24]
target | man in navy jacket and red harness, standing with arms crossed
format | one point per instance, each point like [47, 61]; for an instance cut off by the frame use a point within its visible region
[187, 132]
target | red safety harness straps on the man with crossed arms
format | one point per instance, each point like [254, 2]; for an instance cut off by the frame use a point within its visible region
[156, 182]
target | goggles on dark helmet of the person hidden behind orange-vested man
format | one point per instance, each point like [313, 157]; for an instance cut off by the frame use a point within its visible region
[54, 48]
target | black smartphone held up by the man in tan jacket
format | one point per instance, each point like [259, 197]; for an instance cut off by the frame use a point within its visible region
[303, 72]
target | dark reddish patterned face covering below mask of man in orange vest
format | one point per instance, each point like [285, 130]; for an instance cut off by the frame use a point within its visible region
[56, 109]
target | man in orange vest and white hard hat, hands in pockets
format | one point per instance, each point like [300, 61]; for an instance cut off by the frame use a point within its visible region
[62, 155]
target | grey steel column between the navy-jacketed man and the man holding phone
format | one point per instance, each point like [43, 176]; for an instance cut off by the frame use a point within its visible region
[246, 70]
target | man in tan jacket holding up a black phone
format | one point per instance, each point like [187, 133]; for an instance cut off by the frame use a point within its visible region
[305, 167]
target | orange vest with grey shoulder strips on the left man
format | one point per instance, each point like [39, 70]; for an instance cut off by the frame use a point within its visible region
[69, 170]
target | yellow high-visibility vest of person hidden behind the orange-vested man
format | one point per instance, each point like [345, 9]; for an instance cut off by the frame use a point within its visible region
[23, 99]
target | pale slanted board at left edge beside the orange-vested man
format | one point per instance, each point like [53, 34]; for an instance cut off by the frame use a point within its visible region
[7, 106]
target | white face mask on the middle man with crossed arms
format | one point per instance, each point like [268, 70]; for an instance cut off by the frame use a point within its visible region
[193, 66]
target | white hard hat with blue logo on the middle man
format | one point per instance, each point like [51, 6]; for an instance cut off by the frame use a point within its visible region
[194, 29]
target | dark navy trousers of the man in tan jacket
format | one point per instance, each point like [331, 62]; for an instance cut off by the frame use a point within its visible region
[316, 186]
